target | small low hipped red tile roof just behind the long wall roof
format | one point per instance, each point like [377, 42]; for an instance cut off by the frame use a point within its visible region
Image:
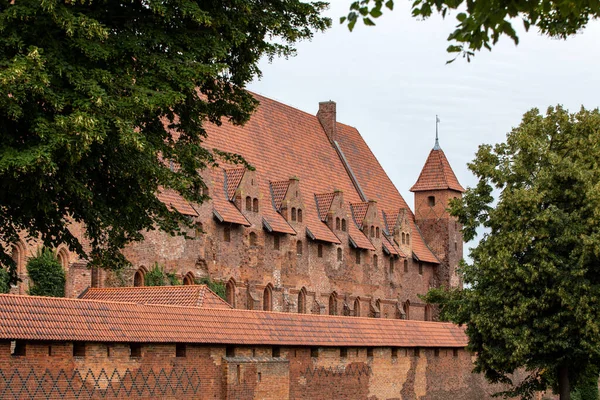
[183, 295]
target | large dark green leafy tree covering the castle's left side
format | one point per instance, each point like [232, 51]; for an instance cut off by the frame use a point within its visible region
[87, 90]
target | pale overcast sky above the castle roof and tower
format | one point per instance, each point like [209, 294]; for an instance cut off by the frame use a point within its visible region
[390, 81]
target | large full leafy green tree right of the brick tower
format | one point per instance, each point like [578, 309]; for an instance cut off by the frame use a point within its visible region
[533, 287]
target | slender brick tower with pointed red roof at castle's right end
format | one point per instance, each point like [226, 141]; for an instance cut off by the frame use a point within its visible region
[436, 186]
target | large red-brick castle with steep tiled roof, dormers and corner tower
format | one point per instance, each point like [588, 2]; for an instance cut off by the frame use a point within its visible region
[317, 227]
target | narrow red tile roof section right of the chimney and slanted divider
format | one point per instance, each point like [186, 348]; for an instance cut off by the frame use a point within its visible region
[376, 184]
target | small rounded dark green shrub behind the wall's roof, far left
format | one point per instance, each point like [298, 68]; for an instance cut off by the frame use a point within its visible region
[47, 276]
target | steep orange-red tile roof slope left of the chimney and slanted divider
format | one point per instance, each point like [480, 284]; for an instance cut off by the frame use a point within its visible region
[281, 141]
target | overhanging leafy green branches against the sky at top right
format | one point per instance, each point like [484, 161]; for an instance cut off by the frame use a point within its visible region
[481, 23]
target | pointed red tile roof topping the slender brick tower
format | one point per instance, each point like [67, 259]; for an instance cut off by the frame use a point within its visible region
[437, 174]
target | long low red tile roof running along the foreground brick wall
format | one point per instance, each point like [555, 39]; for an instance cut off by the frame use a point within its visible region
[57, 319]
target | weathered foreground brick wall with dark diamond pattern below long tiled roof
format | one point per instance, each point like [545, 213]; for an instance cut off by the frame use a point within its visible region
[49, 370]
